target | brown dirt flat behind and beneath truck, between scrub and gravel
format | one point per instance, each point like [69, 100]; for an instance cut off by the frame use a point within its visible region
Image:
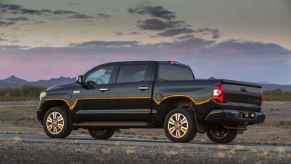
[19, 117]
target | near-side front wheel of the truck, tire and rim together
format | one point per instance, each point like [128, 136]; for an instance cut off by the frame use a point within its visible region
[57, 123]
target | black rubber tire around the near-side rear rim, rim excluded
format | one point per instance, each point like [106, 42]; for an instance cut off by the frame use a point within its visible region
[191, 131]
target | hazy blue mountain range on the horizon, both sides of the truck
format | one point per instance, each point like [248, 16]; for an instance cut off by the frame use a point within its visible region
[14, 82]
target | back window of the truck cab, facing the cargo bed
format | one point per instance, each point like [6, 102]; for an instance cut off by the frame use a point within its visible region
[171, 72]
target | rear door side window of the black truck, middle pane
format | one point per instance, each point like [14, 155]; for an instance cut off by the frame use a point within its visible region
[132, 73]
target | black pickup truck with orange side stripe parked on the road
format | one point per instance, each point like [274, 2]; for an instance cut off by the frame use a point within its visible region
[150, 94]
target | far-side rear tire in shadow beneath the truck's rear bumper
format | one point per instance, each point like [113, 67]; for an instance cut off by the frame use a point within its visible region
[221, 135]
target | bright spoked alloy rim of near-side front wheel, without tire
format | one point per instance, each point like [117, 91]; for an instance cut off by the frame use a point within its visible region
[55, 123]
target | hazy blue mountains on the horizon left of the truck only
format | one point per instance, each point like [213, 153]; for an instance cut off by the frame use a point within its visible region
[14, 82]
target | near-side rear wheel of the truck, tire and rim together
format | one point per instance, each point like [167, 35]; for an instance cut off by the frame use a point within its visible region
[179, 125]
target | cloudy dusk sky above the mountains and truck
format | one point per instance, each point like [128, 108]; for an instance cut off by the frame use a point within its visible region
[245, 40]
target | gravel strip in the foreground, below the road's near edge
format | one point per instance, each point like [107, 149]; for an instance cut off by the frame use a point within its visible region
[123, 153]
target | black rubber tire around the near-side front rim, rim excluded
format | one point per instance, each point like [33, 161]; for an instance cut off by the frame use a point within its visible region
[67, 124]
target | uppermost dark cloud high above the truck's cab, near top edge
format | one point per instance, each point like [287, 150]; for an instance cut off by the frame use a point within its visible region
[153, 11]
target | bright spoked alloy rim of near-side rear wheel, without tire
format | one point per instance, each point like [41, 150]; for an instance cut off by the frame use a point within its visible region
[178, 125]
